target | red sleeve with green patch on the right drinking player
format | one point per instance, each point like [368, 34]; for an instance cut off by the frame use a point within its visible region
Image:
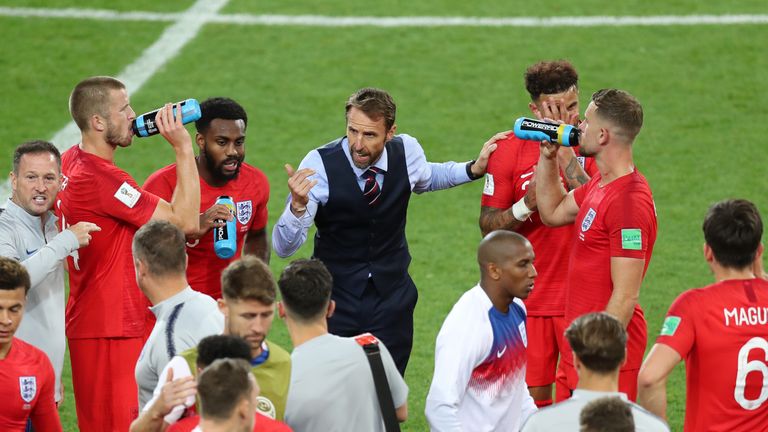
[630, 224]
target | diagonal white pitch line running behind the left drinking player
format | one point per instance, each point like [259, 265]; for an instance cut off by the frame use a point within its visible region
[187, 25]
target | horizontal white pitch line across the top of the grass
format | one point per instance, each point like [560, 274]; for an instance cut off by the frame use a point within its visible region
[412, 21]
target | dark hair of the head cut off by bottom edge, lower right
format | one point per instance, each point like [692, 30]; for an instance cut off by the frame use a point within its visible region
[607, 414]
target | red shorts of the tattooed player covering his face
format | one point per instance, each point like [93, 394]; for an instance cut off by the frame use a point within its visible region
[545, 335]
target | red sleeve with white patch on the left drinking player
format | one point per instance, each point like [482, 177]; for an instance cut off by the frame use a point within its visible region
[123, 199]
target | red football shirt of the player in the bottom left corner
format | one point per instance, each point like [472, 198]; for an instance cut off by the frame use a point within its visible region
[26, 390]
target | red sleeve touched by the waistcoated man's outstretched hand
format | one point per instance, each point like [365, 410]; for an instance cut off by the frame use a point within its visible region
[499, 189]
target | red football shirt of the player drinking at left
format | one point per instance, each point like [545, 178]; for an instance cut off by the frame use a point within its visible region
[104, 300]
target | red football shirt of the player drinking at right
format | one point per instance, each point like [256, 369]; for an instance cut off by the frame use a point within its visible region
[615, 220]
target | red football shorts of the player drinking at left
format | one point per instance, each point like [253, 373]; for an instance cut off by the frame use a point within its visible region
[104, 383]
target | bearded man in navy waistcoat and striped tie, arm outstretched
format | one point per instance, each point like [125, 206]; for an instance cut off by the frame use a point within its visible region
[356, 191]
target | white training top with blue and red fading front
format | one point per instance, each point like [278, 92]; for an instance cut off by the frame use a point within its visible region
[479, 381]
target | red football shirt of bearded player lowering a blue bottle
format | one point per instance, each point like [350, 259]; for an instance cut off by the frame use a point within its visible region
[249, 191]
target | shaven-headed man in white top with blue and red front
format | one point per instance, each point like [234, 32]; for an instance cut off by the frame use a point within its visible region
[479, 380]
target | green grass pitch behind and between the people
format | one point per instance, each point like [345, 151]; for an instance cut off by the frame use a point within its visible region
[703, 89]
